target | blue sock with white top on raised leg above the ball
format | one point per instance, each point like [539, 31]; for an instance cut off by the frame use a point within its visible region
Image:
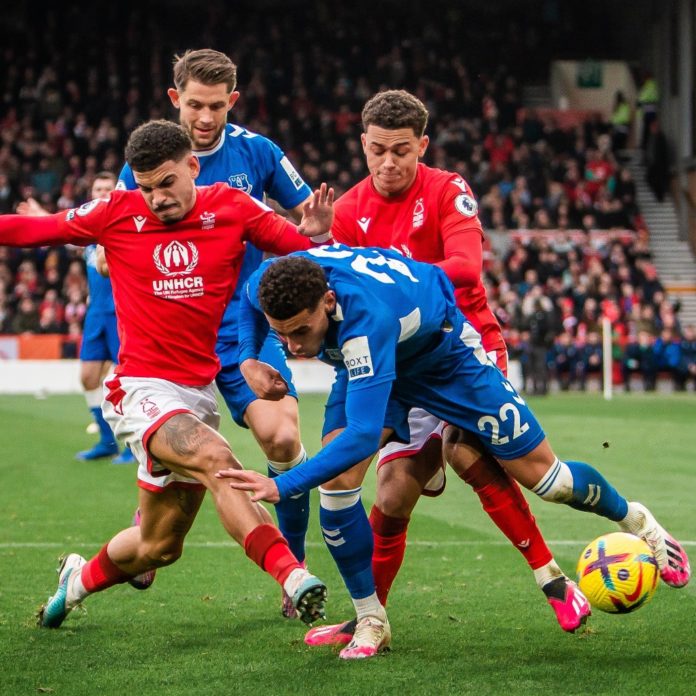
[591, 492]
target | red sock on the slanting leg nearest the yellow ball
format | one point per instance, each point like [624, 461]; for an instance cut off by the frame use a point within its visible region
[505, 504]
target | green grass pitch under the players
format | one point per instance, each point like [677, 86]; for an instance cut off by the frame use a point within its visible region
[466, 615]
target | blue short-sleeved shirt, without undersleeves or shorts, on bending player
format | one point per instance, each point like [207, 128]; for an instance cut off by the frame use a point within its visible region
[389, 311]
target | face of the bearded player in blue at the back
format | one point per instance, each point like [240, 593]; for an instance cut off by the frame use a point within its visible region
[203, 111]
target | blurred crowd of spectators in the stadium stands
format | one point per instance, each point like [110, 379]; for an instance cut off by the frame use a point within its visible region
[578, 249]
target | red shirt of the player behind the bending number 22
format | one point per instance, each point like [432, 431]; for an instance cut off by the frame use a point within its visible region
[434, 221]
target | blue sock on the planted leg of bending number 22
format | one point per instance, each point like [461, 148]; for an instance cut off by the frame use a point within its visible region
[348, 535]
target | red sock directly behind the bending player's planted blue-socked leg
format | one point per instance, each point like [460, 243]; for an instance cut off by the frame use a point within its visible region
[389, 534]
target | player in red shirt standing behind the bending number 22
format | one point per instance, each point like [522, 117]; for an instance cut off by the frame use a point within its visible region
[430, 215]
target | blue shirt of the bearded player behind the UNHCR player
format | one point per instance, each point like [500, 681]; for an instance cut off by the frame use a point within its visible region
[256, 165]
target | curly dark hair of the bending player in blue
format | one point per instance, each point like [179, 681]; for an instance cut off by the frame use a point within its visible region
[290, 285]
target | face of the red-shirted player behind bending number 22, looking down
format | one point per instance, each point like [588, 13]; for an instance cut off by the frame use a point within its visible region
[392, 157]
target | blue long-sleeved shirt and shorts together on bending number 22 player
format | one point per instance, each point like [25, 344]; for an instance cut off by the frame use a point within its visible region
[397, 340]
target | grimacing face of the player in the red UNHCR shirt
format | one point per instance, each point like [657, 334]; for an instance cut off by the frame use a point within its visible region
[169, 190]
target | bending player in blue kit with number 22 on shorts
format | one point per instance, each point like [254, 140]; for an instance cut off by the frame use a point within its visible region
[392, 330]
